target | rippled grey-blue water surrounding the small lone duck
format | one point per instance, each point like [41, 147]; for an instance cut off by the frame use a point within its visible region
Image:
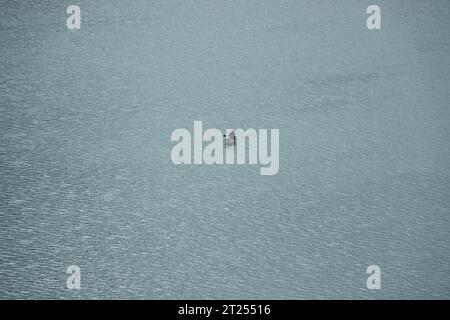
[87, 178]
